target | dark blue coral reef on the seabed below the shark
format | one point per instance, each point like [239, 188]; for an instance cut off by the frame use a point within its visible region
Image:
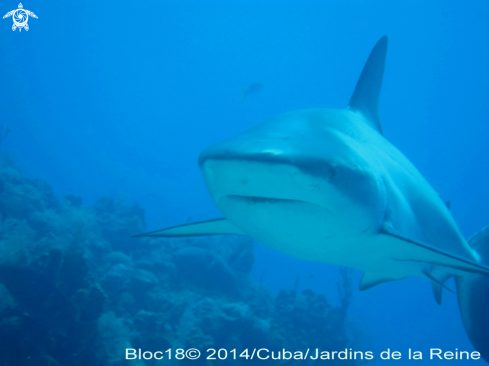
[76, 290]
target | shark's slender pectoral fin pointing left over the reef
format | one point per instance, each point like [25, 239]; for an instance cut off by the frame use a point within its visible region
[202, 228]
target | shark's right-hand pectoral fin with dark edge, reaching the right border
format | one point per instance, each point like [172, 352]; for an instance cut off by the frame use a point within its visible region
[417, 251]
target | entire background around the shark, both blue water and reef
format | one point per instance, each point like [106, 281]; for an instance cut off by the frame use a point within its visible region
[109, 104]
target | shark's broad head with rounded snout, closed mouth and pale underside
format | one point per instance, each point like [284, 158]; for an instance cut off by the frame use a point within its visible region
[294, 171]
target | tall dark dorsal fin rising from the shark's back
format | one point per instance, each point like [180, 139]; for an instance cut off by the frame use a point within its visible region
[365, 98]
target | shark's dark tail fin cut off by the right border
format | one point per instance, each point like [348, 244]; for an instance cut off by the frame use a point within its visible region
[473, 297]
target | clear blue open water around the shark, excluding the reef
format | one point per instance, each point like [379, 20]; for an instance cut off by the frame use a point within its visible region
[118, 99]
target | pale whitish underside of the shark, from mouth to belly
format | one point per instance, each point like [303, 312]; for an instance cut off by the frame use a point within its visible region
[310, 232]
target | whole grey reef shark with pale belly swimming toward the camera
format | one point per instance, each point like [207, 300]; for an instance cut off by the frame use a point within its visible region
[326, 185]
